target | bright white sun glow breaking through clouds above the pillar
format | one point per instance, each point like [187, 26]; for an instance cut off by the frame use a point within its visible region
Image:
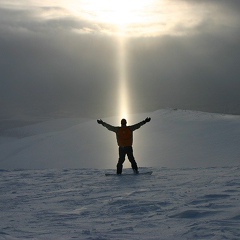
[130, 18]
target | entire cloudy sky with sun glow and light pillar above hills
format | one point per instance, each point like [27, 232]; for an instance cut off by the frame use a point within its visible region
[99, 58]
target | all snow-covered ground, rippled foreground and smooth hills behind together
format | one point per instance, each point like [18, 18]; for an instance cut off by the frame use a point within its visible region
[75, 200]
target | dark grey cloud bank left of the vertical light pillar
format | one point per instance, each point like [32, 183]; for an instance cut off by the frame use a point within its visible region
[47, 67]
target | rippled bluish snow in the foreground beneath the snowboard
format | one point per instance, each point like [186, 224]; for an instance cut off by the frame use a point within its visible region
[84, 204]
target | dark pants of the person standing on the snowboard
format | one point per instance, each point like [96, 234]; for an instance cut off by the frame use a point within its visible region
[123, 151]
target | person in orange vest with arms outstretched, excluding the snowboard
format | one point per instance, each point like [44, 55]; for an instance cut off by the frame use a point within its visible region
[124, 135]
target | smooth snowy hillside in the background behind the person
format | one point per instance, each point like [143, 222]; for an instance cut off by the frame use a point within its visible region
[174, 138]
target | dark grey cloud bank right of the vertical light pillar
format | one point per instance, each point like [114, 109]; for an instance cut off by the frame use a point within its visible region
[197, 72]
